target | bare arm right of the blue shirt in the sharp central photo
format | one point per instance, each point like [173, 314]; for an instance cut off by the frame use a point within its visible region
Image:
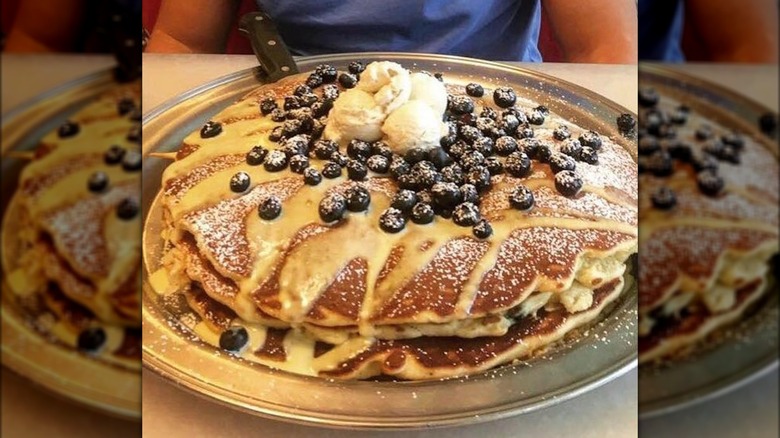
[595, 31]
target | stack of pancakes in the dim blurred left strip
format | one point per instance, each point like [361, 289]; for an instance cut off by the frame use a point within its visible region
[72, 262]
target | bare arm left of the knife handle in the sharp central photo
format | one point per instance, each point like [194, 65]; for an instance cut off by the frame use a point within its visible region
[192, 26]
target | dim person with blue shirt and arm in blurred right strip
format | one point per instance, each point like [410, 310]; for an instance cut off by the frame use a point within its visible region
[744, 31]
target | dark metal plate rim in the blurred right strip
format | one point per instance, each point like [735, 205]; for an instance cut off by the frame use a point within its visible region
[750, 348]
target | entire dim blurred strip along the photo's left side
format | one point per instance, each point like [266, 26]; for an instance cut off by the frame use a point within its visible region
[70, 228]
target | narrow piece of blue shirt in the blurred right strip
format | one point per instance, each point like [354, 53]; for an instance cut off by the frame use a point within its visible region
[660, 30]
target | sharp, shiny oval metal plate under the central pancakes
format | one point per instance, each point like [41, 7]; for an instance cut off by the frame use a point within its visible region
[603, 352]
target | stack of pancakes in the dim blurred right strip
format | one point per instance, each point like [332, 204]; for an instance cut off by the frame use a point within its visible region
[706, 259]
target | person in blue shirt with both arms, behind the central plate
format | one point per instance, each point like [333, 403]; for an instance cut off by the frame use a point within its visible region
[508, 30]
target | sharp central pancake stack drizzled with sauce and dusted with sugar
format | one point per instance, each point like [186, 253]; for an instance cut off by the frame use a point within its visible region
[348, 300]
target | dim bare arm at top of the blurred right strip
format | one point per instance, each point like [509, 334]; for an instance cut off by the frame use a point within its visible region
[735, 31]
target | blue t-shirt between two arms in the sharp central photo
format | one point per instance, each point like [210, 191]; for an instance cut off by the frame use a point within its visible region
[505, 30]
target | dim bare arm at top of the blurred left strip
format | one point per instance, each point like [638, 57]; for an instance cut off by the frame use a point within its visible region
[38, 27]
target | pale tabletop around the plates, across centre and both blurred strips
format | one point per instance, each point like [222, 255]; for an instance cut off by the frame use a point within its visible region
[170, 411]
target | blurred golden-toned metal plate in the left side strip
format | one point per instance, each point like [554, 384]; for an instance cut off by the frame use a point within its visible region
[62, 370]
